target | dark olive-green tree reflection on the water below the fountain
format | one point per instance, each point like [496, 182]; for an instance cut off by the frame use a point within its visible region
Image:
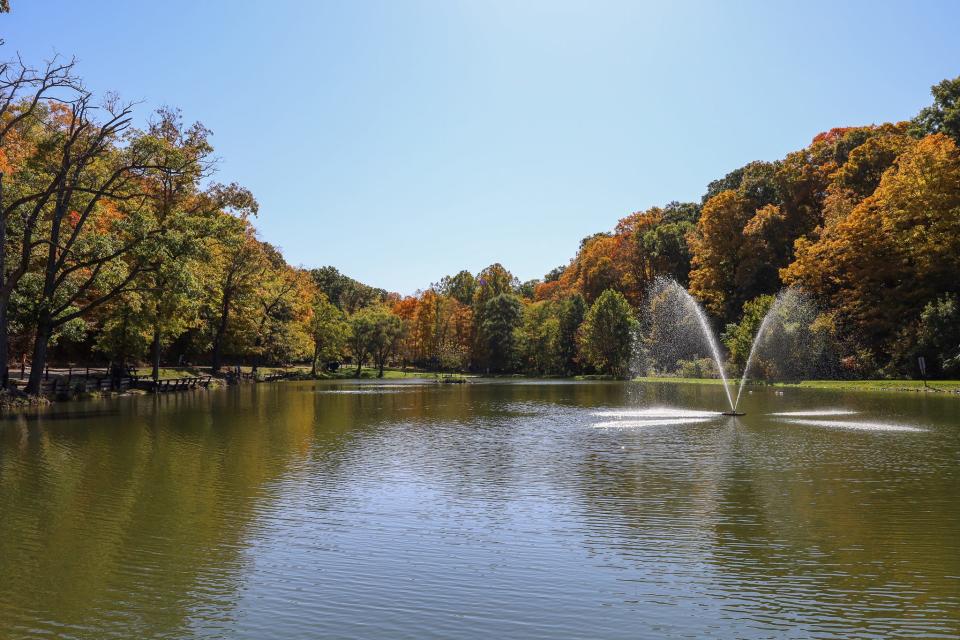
[850, 522]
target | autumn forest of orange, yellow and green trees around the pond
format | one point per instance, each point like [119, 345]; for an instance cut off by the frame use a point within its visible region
[118, 245]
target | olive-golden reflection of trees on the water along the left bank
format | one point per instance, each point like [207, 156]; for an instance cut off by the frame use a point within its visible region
[148, 505]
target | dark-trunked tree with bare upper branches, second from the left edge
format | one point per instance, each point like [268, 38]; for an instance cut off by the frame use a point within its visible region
[96, 231]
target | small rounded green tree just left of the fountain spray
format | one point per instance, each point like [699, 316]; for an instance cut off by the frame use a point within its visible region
[606, 337]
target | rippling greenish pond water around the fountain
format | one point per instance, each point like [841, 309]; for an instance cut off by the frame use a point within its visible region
[496, 509]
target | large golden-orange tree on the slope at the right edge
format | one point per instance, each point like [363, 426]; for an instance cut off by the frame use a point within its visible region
[896, 251]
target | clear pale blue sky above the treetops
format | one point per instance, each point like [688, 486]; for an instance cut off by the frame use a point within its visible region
[401, 141]
